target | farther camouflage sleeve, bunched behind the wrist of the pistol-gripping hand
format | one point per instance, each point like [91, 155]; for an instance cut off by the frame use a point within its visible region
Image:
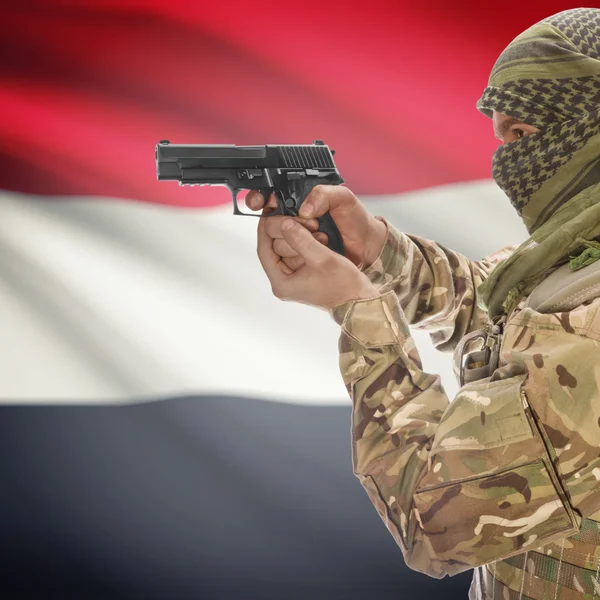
[436, 286]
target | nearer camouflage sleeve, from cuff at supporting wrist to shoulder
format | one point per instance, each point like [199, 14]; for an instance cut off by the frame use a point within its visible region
[457, 484]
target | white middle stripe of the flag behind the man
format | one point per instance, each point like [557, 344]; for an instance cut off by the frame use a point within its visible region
[114, 301]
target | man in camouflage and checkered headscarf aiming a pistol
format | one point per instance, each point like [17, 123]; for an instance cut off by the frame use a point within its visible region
[505, 478]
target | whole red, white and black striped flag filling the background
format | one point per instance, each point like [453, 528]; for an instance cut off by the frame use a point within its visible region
[169, 429]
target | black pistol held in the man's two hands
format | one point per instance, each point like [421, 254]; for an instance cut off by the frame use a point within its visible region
[289, 172]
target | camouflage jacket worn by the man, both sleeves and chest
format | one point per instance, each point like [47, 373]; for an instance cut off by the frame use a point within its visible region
[513, 462]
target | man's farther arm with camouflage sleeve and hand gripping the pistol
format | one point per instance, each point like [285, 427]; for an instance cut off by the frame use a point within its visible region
[436, 287]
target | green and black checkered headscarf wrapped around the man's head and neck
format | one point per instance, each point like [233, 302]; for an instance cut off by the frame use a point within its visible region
[548, 77]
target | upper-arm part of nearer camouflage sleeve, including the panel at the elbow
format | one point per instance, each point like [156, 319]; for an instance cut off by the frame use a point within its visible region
[491, 490]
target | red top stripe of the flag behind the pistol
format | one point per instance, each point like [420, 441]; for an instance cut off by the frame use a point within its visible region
[90, 88]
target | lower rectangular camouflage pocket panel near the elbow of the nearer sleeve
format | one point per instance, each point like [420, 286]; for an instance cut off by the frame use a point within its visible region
[474, 521]
